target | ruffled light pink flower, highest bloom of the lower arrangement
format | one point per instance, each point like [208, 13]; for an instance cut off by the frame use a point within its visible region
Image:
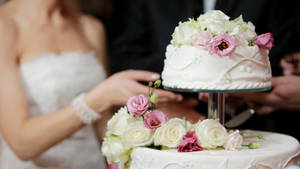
[138, 105]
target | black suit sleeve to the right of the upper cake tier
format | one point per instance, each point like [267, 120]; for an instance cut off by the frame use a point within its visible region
[282, 23]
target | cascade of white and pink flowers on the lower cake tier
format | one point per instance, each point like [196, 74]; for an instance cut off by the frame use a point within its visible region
[140, 124]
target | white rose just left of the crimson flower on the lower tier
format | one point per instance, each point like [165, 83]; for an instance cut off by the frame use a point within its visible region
[171, 133]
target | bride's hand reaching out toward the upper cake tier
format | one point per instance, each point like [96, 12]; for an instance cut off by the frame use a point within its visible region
[118, 88]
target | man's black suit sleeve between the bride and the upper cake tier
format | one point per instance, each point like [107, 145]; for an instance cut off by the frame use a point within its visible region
[128, 36]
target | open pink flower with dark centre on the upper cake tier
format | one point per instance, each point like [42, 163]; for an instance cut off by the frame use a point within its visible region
[222, 45]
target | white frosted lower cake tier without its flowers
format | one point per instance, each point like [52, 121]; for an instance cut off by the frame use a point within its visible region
[276, 152]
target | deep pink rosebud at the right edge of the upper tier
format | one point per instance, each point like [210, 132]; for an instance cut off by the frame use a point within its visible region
[264, 41]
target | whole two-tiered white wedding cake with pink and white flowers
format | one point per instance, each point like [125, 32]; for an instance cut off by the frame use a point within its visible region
[211, 53]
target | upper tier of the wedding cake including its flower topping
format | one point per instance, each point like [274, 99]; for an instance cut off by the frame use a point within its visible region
[215, 53]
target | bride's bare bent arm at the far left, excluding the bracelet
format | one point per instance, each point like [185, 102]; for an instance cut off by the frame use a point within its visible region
[28, 137]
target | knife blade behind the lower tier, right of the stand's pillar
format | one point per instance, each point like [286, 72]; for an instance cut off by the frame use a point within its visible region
[240, 118]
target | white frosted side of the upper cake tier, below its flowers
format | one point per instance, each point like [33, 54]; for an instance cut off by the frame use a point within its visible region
[190, 67]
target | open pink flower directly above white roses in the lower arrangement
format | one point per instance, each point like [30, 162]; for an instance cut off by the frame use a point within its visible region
[155, 119]
